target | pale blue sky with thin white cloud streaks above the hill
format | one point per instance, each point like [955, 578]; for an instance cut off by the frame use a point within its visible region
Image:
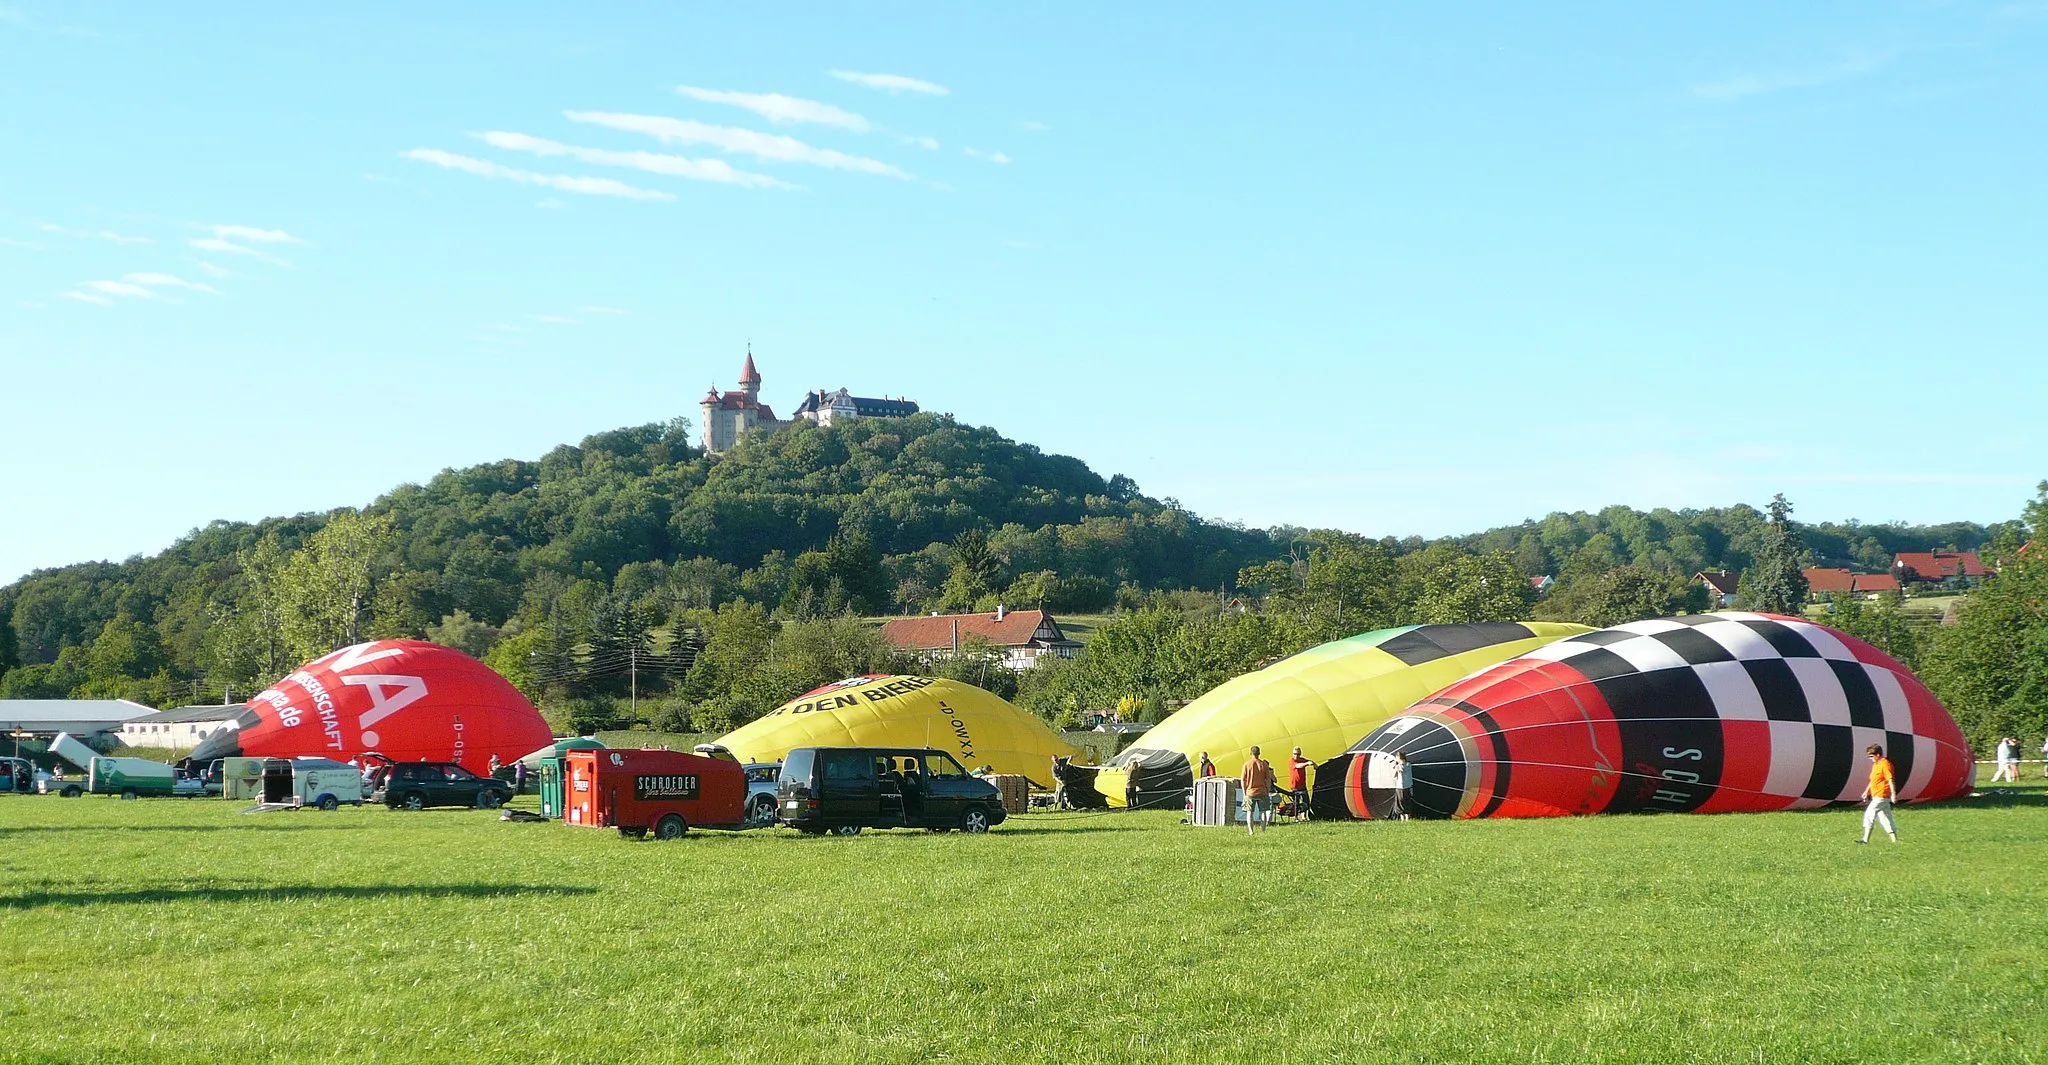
[1355, 265]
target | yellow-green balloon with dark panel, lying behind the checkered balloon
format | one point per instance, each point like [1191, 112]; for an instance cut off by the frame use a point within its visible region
[1322, 699]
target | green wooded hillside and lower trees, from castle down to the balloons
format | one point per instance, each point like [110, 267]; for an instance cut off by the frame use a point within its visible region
[634, 550]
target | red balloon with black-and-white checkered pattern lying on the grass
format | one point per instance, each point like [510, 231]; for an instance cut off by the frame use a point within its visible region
[1699, 714]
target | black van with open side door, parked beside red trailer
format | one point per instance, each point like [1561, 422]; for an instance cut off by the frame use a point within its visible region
[849, 790]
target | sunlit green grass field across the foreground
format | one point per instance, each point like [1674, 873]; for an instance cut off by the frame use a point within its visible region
[183, 931]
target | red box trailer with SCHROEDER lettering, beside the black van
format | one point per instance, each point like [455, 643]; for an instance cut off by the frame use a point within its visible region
[652, 790]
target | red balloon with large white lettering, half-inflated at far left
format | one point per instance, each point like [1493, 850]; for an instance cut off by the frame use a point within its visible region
[400, 697]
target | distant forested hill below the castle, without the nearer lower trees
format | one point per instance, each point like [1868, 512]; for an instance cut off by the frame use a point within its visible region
[636, 527]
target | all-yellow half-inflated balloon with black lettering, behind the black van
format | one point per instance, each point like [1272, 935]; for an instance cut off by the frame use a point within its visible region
[906, 712]
